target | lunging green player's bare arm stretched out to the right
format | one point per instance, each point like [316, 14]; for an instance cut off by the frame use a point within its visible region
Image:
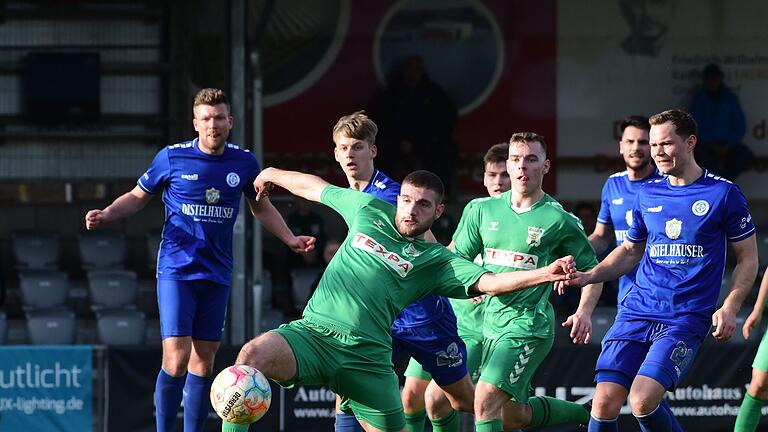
[503, 283]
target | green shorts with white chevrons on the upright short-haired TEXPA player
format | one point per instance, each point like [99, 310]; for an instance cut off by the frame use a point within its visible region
[509, 363]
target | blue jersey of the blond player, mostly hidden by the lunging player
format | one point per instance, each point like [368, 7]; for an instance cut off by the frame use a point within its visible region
[429, 308]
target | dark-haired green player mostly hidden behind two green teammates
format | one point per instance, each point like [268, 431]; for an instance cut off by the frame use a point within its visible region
[469, 312]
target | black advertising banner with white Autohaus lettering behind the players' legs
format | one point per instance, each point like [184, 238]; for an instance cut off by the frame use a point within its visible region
[707, 401]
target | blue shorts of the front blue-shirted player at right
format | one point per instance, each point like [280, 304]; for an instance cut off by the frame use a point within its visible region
[656, 350]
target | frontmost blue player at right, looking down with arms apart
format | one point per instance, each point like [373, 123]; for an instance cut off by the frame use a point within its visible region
[680, 225]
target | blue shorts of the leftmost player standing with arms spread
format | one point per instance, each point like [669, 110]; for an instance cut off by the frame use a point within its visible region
[194, 308]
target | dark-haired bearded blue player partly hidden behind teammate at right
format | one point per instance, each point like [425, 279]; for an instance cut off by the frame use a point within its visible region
[619, 191]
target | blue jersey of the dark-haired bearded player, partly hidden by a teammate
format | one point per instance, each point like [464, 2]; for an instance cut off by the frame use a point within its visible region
[616, 209]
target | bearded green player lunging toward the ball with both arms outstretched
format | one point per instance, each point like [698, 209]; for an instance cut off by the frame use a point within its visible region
[343, 340]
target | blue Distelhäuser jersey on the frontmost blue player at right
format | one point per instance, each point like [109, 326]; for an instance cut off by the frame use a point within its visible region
[685, 229]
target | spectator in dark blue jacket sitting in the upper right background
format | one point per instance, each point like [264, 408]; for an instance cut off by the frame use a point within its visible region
[722, 125]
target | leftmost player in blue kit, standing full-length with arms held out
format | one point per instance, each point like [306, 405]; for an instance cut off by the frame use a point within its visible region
[201, 182]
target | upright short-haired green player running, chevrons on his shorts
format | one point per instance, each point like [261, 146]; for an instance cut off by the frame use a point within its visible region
[522, 230]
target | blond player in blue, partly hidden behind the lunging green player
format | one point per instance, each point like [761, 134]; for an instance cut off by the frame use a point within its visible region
[426, 329]
